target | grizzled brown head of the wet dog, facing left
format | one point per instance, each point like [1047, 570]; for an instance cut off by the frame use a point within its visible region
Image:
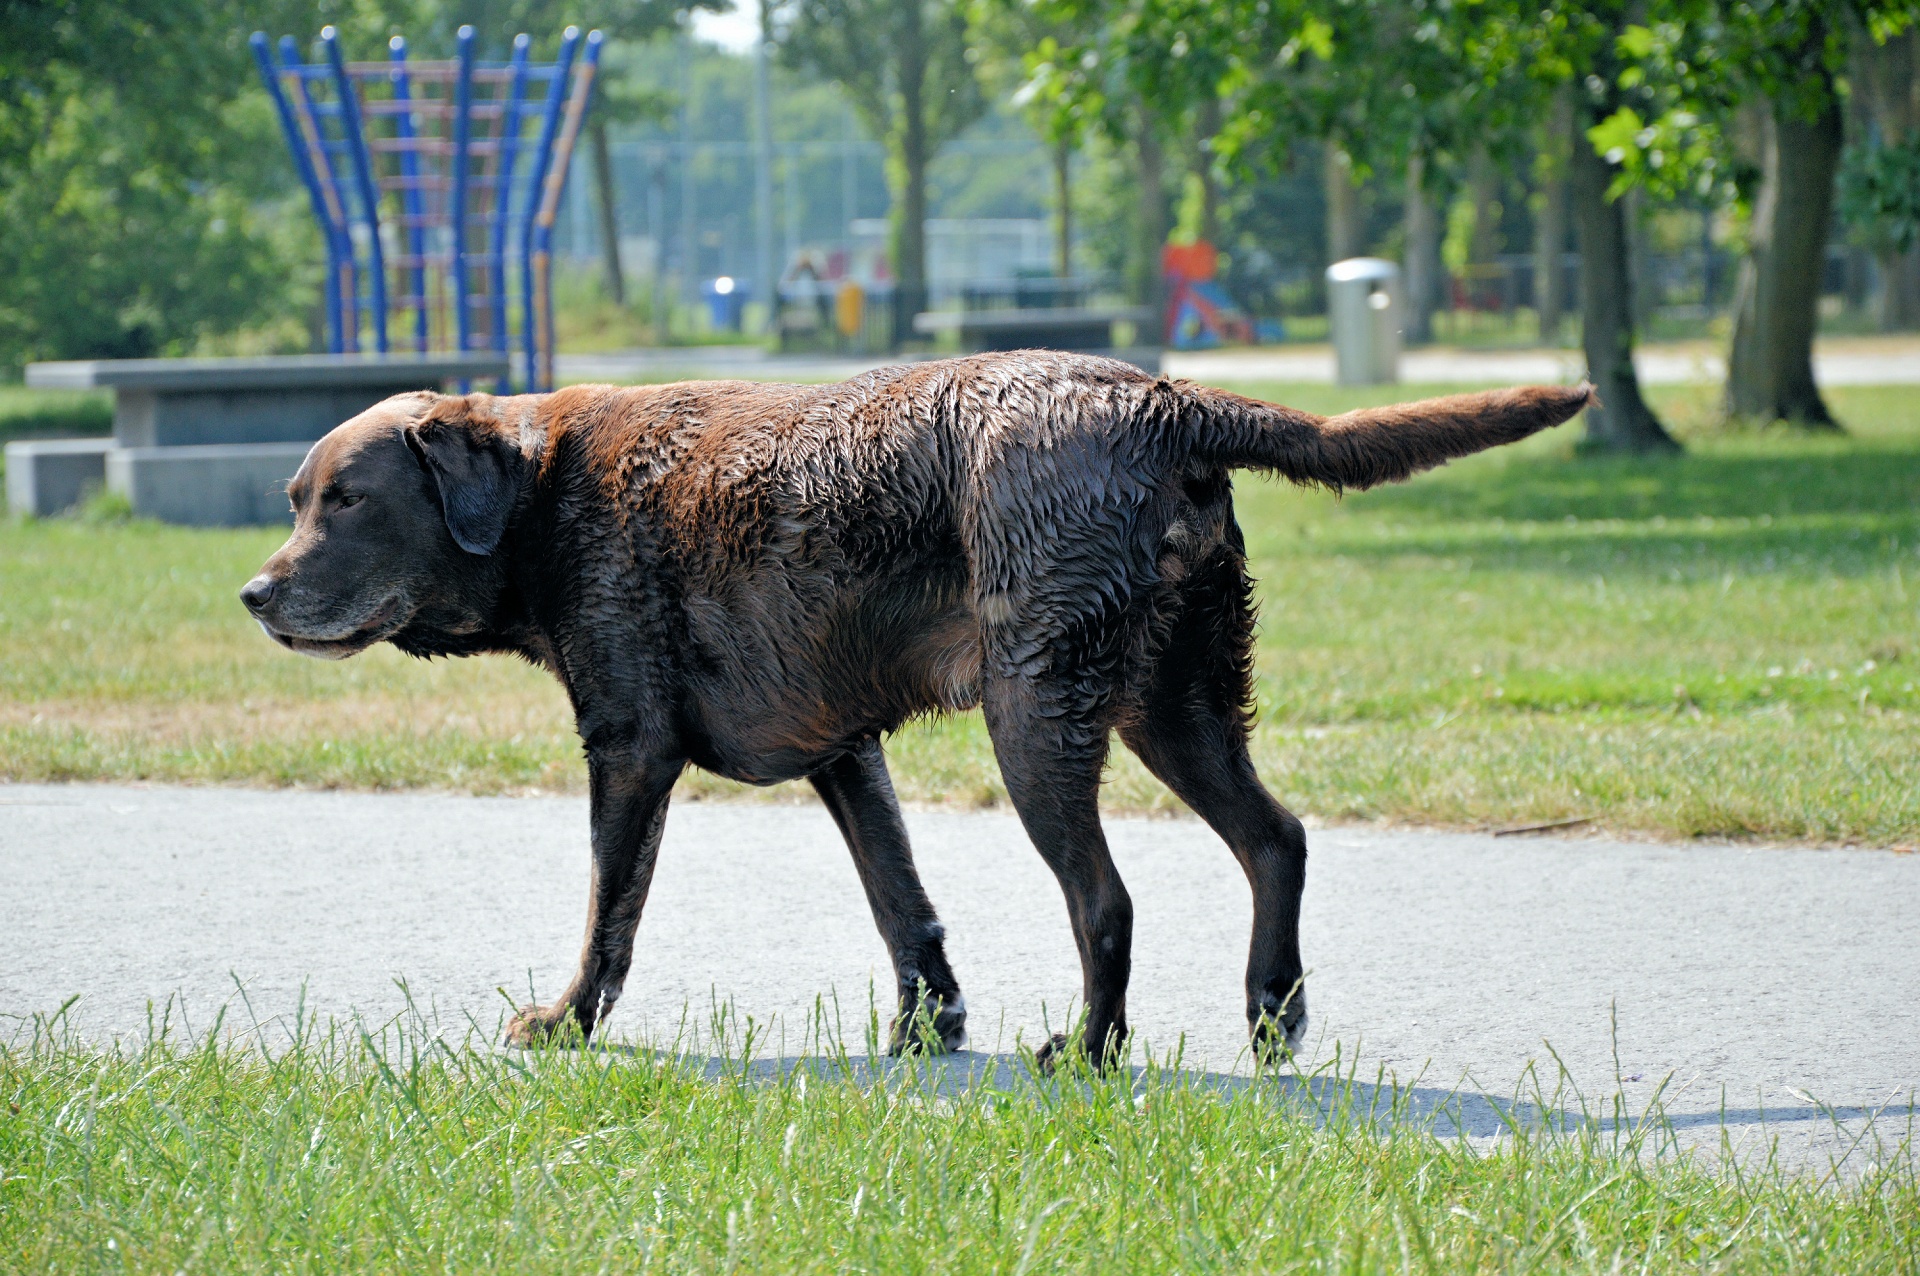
[398, 527]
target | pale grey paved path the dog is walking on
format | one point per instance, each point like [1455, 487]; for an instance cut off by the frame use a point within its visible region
[1777, 989]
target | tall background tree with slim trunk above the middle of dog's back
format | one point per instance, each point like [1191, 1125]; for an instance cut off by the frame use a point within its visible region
[905, 68]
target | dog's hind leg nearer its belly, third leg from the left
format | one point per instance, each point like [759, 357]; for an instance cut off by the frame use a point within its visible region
[1051, 761]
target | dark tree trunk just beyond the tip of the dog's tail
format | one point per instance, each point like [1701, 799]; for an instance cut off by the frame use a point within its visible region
[1621, 421]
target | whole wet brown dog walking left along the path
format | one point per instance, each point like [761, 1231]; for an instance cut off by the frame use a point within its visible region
[763, 580]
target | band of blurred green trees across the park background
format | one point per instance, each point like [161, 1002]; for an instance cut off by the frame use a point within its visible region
[1740, 174]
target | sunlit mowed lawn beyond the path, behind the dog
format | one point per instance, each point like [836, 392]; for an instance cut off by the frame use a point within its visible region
[1723, 644]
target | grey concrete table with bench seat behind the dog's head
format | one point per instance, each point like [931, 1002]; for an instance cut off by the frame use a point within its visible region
[210, 440]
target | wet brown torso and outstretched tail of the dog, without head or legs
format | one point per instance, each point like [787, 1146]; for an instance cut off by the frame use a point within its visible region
[846, 557]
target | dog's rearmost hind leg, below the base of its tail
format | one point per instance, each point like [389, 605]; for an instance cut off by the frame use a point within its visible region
[1191, 732]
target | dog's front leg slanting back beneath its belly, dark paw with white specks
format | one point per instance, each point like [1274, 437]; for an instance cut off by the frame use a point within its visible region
[861, 801]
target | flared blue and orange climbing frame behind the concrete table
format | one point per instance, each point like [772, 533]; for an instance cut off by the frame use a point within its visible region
[437, 187]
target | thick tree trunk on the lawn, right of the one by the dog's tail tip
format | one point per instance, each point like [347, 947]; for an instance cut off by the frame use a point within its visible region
[1777, 308]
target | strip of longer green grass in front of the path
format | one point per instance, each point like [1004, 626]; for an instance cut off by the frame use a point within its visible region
[391, 1150]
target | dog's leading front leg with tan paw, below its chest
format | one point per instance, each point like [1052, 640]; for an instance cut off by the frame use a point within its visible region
[629, 801]
